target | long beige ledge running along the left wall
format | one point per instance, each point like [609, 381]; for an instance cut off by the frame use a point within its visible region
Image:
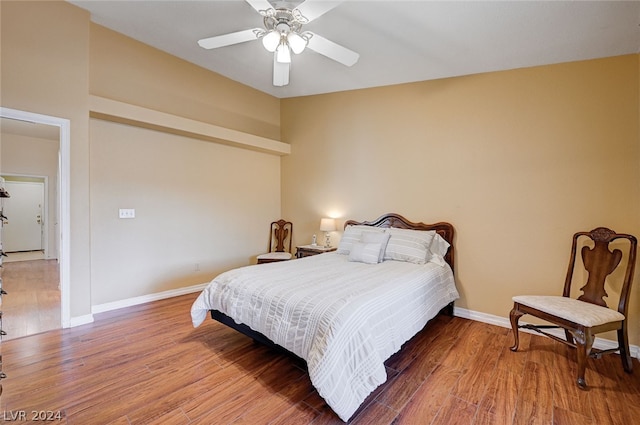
[112, 110]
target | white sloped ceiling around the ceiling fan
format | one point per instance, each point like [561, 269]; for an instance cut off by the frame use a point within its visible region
[398, 41]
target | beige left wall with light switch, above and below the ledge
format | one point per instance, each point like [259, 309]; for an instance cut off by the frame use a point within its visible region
[201, 207]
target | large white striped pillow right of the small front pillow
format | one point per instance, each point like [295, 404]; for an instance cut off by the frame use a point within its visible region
[409, 245]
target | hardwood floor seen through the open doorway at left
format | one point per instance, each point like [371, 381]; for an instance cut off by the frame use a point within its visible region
[33, 301]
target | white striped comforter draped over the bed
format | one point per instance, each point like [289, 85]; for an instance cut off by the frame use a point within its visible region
[344, 318]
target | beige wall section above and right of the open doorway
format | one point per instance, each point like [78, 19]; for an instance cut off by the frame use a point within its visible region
[45, 70]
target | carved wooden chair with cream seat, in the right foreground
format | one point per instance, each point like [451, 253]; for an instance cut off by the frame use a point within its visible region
[587, 315]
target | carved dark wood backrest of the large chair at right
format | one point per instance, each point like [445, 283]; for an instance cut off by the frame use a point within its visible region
[600, 262]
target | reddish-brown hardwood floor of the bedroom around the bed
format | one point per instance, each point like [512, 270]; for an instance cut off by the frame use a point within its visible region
[148, 365]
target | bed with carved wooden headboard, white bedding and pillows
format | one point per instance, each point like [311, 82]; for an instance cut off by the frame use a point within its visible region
[346, 312]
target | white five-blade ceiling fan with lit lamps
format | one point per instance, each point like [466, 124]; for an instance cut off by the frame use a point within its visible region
[283, 33]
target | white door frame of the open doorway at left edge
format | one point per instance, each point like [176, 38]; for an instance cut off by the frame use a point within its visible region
[64, 205]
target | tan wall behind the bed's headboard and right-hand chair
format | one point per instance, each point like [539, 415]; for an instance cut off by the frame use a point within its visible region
[518, 161]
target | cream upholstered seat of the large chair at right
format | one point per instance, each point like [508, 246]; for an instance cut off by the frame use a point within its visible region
[580, 312]
